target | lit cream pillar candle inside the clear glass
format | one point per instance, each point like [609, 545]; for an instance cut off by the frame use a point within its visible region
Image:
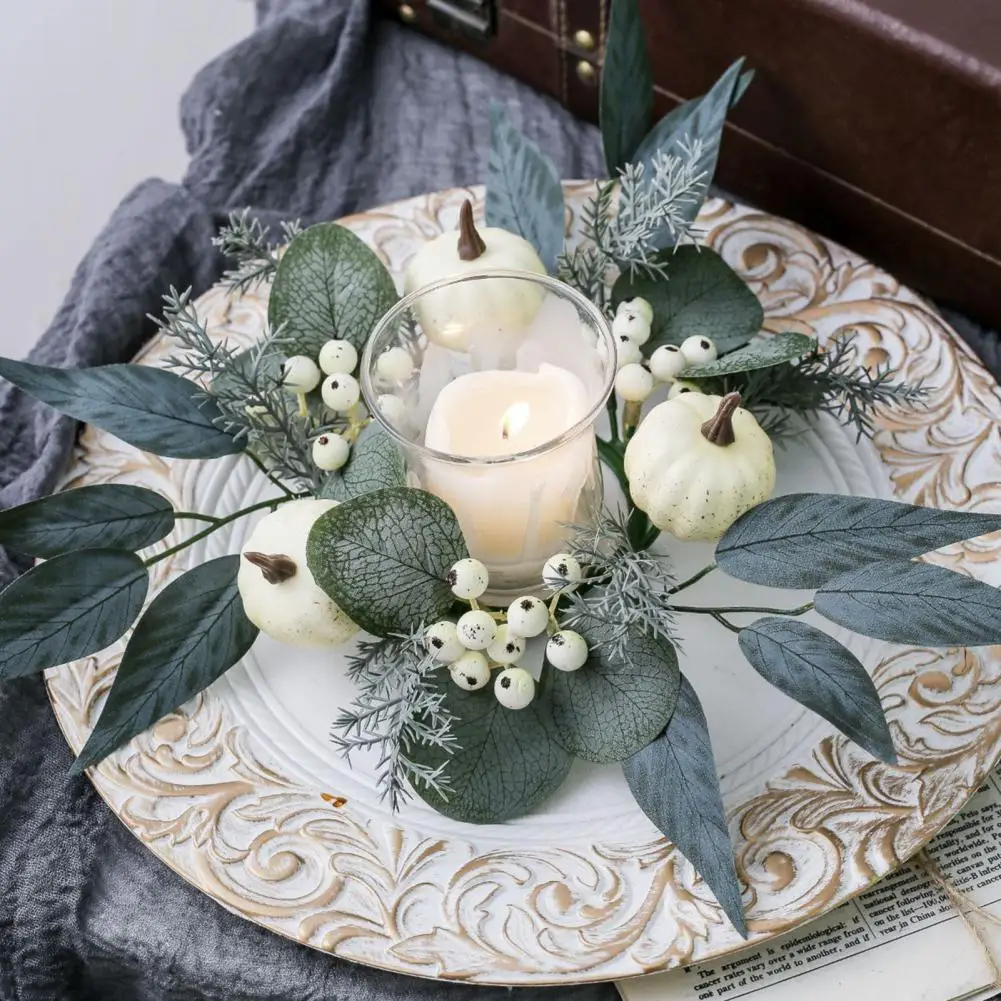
[514, 514]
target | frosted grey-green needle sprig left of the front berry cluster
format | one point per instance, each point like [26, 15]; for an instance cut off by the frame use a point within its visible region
[397, 709]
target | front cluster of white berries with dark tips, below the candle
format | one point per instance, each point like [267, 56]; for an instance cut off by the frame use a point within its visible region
[482, 641]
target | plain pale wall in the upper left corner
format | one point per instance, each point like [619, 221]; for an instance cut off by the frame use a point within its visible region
[90, 109]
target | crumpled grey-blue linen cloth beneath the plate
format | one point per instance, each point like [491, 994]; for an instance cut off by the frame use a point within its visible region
[319, 114]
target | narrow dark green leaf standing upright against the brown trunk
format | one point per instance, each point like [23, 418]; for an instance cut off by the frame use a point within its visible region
[627, 99]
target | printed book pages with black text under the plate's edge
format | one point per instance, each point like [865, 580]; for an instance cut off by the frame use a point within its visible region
[901, 939]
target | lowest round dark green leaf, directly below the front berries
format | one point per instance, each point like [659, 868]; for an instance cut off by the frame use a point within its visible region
[507, 763]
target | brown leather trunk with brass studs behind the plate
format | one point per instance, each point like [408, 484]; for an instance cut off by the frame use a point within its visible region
[877, 124]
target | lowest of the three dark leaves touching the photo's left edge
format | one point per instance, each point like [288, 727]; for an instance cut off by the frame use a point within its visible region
[68, 608]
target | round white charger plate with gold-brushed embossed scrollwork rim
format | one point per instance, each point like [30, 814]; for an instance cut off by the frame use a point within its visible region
[242, 794]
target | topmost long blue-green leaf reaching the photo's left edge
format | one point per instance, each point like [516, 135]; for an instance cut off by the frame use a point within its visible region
[154, 410]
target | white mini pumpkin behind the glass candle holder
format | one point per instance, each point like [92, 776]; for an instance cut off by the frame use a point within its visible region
[456, 317]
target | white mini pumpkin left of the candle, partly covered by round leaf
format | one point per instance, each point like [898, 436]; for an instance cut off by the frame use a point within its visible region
[280, 595]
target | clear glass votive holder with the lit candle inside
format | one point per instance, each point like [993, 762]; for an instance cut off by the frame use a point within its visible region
[492, 384]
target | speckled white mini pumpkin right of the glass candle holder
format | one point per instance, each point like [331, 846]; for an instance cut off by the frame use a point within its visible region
[697, 463]
